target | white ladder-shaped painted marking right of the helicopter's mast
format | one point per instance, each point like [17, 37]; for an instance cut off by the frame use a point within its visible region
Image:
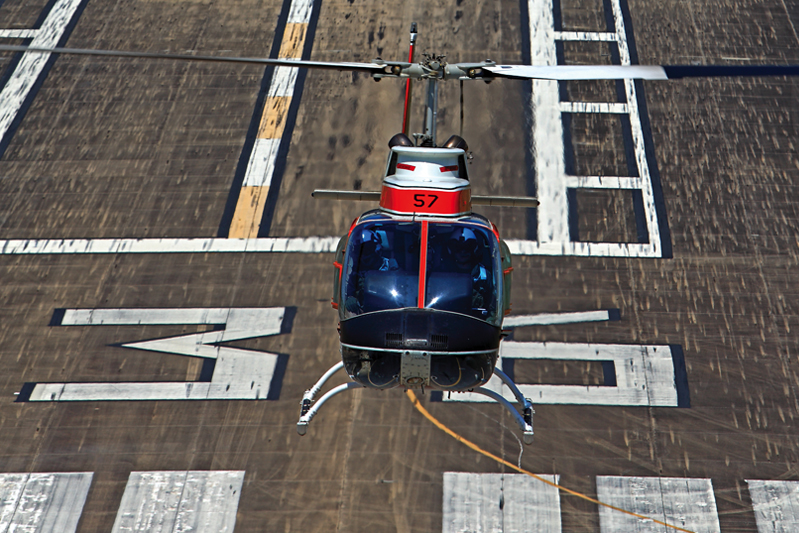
[552, 182]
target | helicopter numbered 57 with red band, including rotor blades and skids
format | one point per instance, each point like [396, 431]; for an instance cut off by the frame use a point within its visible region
[422, 283]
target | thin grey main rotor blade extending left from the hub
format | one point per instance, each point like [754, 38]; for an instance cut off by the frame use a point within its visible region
[368, 67]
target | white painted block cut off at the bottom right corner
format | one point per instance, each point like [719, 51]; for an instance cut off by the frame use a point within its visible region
[776, 505]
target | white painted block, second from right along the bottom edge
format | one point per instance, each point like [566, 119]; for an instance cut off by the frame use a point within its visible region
[685, 502]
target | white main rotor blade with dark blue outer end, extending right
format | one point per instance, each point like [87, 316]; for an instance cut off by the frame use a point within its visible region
[636, 72]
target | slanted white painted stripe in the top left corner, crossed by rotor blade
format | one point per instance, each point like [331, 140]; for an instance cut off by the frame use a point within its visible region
[30, 67]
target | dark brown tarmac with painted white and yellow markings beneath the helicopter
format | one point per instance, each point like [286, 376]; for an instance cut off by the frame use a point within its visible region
[166, 206]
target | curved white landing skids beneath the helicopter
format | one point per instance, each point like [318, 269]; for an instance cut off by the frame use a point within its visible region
[310, 407]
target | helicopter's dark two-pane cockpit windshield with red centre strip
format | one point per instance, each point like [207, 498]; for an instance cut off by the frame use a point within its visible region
[460, 274]
